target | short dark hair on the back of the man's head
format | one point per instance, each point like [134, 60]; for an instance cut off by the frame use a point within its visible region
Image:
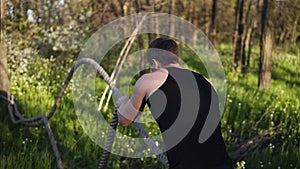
[164, 50]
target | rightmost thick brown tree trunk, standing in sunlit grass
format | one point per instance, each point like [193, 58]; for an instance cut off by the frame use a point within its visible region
[266, 42]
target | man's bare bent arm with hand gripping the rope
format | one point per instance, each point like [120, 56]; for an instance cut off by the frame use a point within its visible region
[129, 108]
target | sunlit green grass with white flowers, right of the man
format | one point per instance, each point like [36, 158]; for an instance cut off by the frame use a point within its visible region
[250, 110]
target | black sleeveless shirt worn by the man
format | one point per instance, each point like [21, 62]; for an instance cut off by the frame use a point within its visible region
[180, 106]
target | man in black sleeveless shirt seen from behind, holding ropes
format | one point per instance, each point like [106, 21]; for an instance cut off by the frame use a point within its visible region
[180, 101]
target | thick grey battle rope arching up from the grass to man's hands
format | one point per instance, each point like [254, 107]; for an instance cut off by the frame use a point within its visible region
[44, 119]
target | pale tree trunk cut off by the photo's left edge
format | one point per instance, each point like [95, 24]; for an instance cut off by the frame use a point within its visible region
[4, 82]
